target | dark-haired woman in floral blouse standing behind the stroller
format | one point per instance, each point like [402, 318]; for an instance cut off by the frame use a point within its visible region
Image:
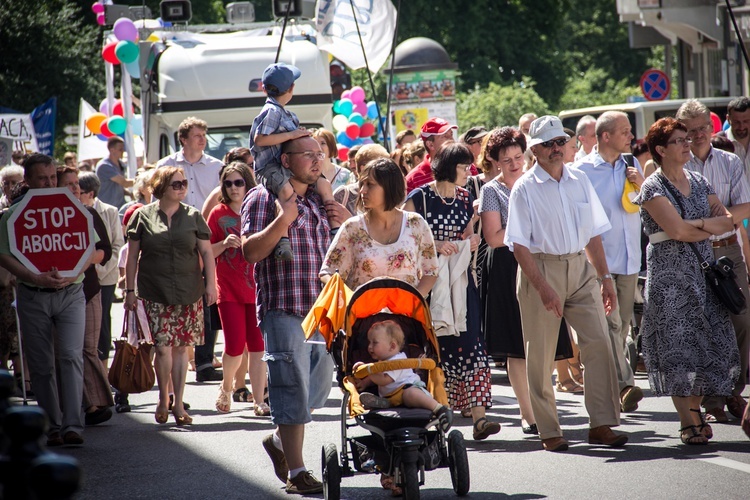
[384, 240]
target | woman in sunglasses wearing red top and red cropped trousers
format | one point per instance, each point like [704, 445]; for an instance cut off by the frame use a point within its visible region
[236, 291]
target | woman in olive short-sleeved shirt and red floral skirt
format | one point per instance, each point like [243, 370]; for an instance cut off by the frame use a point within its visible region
[167, 240]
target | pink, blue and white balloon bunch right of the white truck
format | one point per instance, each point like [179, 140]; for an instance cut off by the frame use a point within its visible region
[353, 121]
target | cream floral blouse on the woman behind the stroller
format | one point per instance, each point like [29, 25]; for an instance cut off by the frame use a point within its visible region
[358, 258]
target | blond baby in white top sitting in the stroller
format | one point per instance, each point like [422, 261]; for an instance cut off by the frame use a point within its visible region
[397, 387]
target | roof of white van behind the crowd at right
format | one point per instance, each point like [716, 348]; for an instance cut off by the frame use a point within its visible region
[643, 114]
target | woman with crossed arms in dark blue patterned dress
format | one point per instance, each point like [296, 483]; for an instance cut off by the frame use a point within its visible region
[687, 336]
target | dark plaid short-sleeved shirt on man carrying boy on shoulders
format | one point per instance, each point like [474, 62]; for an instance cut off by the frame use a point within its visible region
[289, 286]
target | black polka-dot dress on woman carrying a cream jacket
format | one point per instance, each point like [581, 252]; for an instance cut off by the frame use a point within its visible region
[463, 357]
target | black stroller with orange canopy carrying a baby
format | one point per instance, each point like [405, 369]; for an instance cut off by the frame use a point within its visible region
[402, 442]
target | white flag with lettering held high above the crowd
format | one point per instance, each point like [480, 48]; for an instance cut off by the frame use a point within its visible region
[337, 31]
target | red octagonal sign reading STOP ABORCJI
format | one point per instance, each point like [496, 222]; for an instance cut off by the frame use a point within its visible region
[49, 229]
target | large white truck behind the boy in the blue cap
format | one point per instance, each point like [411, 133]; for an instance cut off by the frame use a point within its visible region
[216, 77]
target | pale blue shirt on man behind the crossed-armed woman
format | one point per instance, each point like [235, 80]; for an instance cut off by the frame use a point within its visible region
[726, 175]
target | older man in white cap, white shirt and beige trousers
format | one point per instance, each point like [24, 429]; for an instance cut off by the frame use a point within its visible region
[554, 225]
